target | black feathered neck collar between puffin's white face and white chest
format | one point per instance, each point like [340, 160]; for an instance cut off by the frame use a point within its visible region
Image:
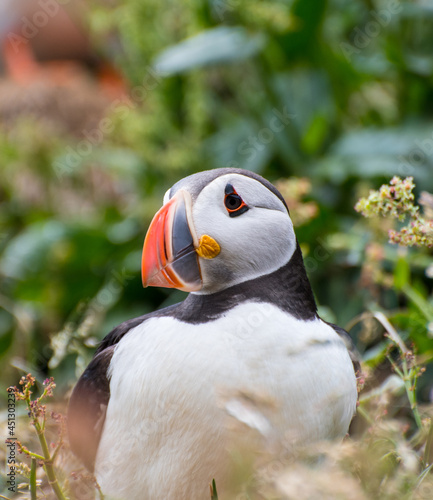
[287, 288]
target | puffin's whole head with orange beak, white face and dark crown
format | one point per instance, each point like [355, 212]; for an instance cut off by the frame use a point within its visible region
[216, 229]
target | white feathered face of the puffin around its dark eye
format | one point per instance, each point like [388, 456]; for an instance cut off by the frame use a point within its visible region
[254, 243]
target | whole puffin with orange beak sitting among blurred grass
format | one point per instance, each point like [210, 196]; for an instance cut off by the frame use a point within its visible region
[151, 414]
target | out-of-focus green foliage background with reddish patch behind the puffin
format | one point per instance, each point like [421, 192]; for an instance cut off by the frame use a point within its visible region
[105, 104]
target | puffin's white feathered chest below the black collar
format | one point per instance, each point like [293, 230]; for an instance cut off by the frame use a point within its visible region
[174, 386]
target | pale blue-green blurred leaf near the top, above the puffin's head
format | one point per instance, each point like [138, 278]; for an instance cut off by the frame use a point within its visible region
[214, 46]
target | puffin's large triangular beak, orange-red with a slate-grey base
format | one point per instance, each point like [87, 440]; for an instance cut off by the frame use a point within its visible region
[169, 256]
